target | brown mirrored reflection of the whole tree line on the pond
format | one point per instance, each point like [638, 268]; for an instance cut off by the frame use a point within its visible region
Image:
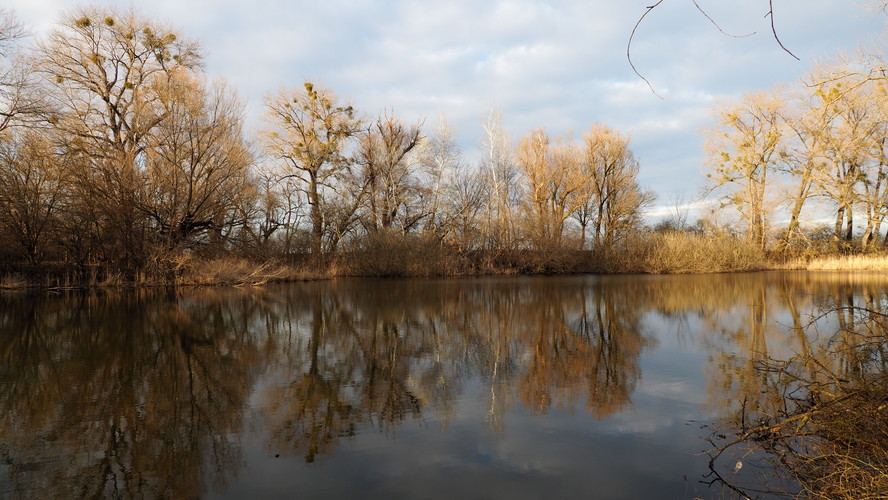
[147, 394]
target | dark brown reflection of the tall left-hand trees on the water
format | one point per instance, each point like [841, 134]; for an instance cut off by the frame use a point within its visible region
[125, 395]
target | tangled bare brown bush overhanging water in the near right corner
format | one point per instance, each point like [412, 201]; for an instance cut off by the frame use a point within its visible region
[814, 424]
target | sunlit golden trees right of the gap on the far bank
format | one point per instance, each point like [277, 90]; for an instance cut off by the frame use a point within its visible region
[788, 153]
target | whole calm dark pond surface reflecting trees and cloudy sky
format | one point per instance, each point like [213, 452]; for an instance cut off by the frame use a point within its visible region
[563, 387]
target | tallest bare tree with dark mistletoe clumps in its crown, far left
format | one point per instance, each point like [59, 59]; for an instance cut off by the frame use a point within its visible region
[103, 65]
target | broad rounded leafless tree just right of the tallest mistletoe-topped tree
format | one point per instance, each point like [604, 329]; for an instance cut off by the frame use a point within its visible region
[196, 164]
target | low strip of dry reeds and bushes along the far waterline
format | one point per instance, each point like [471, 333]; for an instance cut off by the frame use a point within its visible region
[415, 256]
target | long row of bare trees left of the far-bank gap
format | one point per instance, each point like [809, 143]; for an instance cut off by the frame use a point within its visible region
[116, 150]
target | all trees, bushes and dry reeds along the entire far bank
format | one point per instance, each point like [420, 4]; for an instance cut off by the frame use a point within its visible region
[121, 162]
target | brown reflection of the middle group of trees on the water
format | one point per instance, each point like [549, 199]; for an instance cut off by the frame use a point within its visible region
[369, 354]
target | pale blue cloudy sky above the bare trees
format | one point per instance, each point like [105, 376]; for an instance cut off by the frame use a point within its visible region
[558, 64]
